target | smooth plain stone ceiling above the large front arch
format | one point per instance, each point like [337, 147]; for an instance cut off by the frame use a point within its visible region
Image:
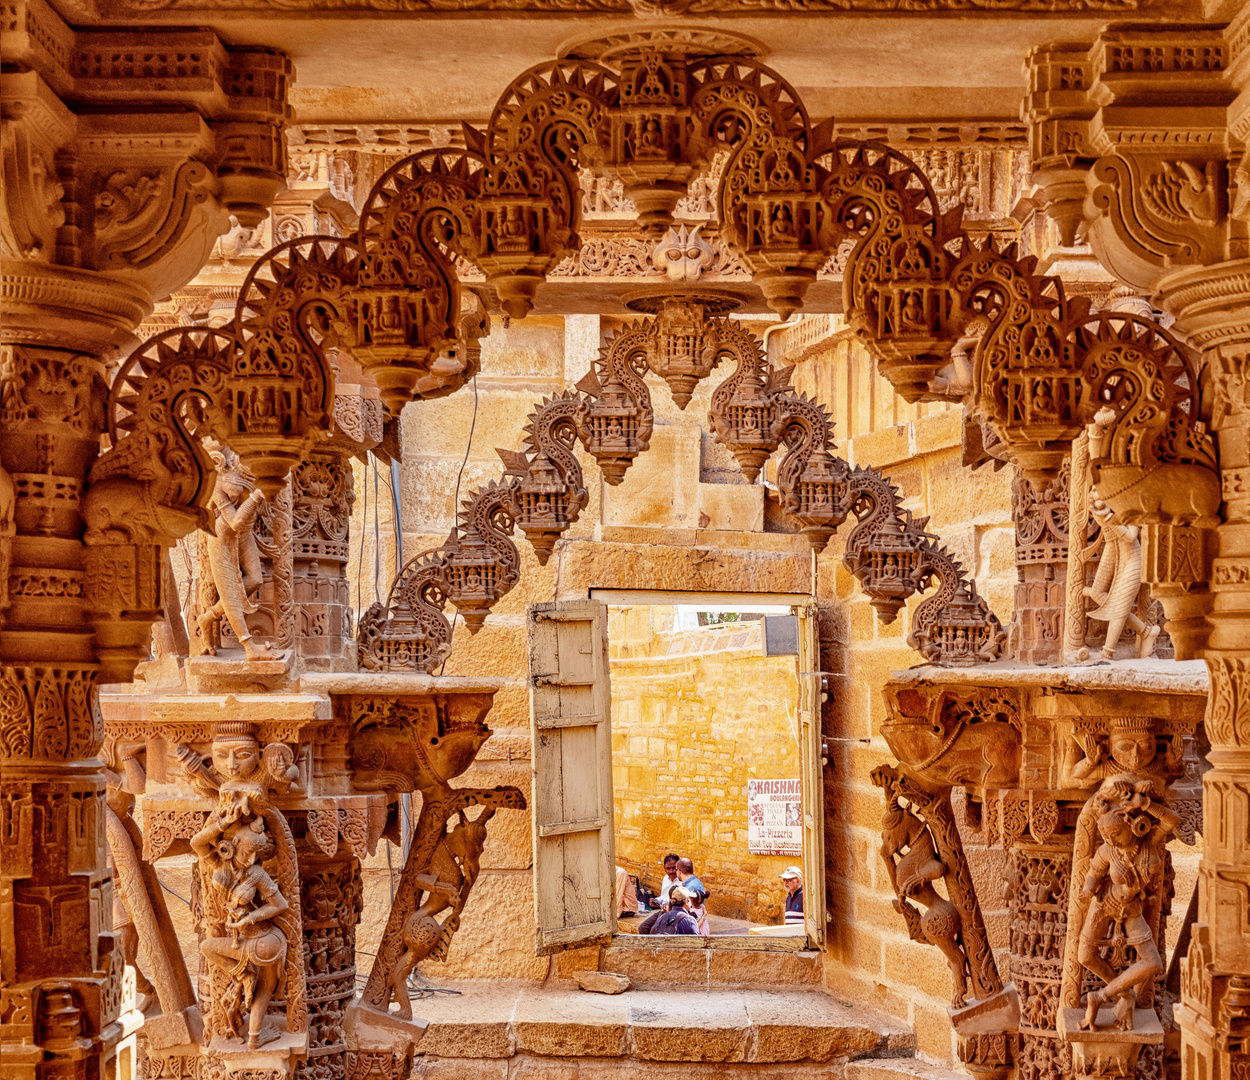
[371, 61]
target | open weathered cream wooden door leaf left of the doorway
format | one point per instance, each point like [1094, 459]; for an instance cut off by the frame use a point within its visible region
[571, 726]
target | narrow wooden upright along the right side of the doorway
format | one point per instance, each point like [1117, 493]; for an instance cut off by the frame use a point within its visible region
[811, 698]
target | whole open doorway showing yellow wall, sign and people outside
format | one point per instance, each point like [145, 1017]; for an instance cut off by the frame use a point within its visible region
[714, 731]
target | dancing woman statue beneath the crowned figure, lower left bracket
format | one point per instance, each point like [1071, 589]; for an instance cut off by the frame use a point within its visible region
[253, 956]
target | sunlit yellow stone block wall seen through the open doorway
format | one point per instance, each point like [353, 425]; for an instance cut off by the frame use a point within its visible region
[696, 716]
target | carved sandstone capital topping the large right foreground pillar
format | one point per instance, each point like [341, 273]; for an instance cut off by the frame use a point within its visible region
[1142, 116]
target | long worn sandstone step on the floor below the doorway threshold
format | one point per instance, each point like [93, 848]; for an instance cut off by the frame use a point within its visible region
[489, 1023]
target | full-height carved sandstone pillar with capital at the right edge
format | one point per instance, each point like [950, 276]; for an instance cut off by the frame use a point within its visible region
[1157, 121]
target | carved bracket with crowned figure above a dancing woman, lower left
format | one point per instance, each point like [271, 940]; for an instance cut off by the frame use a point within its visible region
[249, 883]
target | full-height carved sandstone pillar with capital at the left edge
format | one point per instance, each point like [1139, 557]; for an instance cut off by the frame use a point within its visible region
[103, 211]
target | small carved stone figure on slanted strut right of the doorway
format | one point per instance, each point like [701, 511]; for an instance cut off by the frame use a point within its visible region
[904, 837]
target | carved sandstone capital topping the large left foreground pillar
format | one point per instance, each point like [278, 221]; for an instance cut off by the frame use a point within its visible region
[106, 208]
